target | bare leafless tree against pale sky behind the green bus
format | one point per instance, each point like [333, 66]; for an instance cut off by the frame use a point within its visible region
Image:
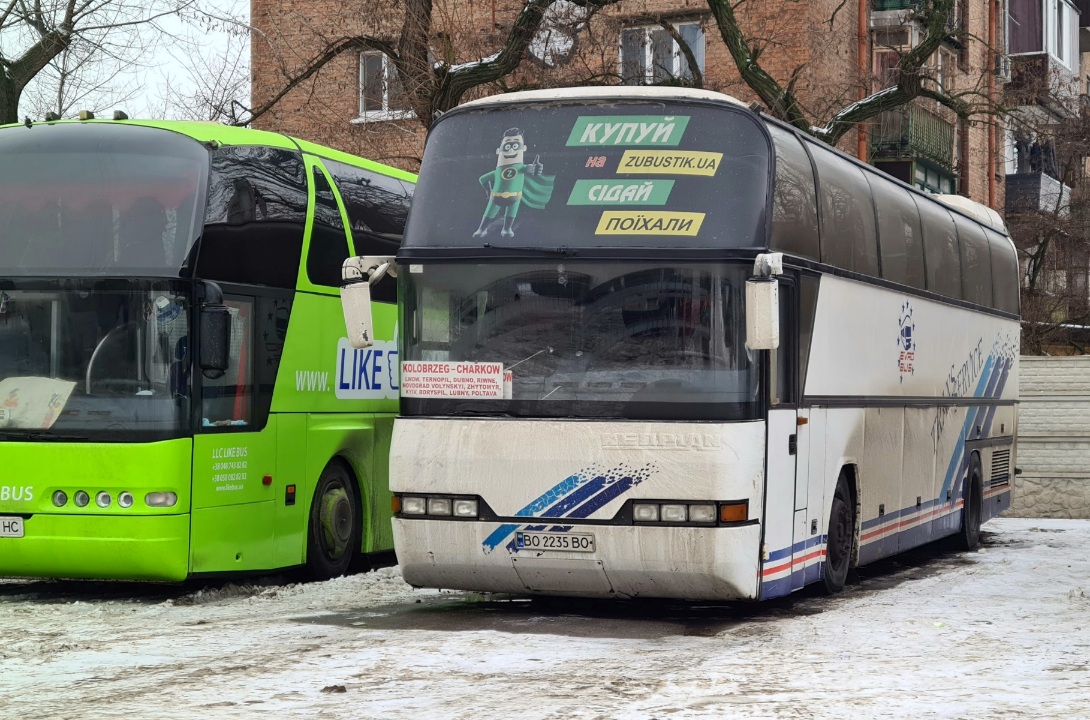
[75, 50]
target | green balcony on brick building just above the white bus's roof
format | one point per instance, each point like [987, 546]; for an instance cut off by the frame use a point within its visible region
[913, 132]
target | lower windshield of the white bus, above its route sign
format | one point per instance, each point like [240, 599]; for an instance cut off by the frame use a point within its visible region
[583, 339]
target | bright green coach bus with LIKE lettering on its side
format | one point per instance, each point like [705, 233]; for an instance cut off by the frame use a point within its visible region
[177, 394]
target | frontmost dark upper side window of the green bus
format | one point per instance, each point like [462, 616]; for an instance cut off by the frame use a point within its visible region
[256, 217]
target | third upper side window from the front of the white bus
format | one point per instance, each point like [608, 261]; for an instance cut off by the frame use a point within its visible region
[900, 237]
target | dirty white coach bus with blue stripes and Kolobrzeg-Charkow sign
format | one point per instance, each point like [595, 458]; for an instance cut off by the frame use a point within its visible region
[657, 345]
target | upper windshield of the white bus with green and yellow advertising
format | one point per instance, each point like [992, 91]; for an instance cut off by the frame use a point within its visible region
[649, 175]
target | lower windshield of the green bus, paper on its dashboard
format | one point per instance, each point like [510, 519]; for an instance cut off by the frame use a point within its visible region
[98, 360]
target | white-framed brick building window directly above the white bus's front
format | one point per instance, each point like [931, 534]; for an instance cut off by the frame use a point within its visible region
[649, 56]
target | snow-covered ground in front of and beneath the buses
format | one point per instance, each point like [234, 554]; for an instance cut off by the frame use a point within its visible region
[999, 633]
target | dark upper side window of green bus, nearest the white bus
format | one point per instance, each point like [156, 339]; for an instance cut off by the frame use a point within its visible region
[378, 206]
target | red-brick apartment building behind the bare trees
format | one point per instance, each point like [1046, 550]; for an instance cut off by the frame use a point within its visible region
[837, 56]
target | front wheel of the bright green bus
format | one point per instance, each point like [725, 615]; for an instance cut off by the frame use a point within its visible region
[333, 535]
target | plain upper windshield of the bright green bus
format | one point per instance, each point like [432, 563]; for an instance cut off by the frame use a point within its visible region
[100, 200]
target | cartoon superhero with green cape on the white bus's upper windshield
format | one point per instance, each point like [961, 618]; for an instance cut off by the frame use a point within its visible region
[513, 184]
